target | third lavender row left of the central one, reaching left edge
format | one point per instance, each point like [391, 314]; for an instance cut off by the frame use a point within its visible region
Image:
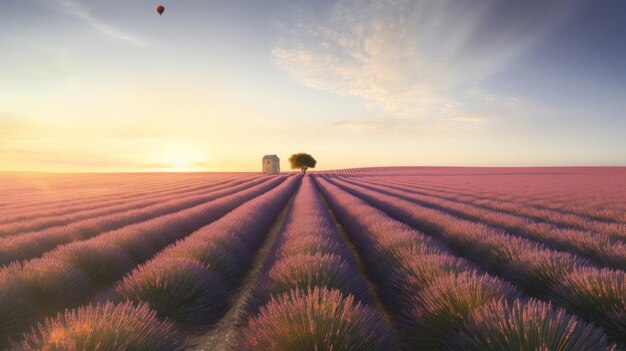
[30, 245]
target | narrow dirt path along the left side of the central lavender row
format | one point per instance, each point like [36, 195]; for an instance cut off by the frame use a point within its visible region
[222, 336]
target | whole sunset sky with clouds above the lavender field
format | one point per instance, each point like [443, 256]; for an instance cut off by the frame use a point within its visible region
[213, 85]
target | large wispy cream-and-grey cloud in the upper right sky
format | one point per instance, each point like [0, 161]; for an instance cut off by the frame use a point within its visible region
[415, 59]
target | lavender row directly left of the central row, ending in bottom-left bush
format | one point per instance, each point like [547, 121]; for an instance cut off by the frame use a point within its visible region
[187, 282]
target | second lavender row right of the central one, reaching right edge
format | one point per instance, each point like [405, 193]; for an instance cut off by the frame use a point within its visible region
[594, 294]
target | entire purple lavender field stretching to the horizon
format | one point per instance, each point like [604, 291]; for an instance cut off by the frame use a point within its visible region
[398, 258]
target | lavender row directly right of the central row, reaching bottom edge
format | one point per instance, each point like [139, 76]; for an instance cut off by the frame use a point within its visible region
[440, 301]
